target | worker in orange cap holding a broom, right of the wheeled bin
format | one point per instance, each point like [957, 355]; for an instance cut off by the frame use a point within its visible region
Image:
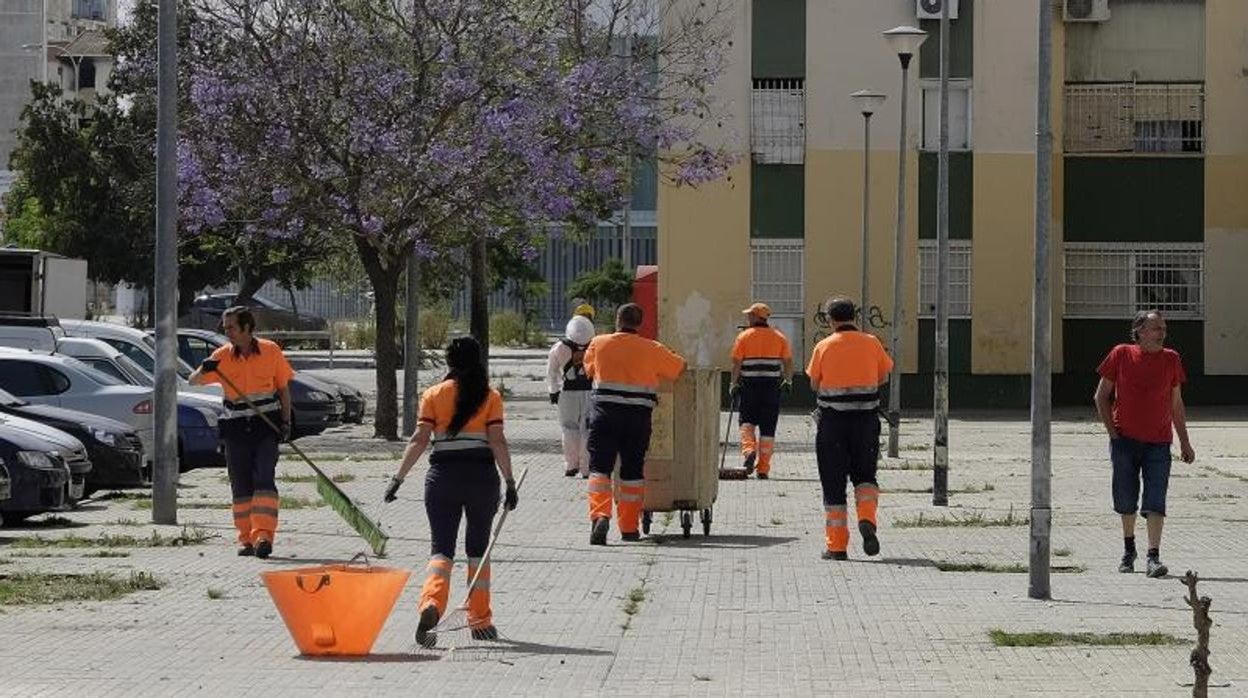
[762, 369]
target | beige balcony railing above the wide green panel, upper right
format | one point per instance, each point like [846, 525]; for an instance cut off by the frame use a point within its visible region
[1135, 118]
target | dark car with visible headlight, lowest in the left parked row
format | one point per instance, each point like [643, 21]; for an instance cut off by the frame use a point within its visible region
[38, 476]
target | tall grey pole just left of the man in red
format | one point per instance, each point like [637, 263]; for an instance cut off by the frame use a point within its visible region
[1041, 335]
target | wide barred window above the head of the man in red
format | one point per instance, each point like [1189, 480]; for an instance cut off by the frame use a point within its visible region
[1115, 280]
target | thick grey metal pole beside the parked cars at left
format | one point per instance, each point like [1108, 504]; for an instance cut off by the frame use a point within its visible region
[165, 410]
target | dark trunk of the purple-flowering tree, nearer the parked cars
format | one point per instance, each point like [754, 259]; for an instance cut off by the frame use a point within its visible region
[385, 282]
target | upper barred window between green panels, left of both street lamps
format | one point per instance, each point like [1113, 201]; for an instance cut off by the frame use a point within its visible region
[778, 122]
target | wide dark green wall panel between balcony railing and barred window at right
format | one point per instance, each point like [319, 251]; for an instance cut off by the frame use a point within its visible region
[1134, 199]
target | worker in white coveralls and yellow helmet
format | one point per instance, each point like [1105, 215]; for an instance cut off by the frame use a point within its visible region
[570, 390]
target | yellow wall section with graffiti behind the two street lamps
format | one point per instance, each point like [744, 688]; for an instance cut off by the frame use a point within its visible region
[834, 238]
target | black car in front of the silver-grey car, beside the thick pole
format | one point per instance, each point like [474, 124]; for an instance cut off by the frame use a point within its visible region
[115, 451]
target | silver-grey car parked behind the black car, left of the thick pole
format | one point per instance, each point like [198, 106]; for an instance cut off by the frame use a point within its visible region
[63, 381]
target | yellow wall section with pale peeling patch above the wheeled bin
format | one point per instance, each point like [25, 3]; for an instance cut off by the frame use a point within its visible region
[704, 267]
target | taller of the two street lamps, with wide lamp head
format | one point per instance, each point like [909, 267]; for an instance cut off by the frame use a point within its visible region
[904, 42]
